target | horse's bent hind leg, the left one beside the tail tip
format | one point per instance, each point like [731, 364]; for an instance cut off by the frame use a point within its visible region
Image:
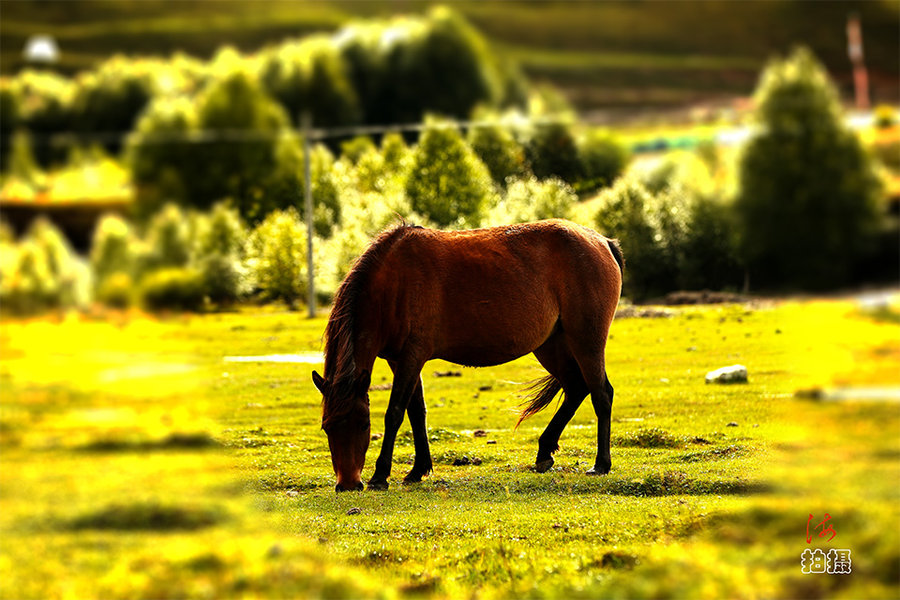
[555, 356]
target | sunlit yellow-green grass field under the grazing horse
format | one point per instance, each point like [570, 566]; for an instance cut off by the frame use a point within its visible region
[137, 463]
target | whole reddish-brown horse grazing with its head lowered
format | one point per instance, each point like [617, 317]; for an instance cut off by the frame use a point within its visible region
[477, 298]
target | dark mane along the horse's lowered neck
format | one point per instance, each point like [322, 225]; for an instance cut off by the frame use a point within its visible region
[340, 366]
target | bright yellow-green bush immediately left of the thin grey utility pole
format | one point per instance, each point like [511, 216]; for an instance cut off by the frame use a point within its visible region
[276, 256]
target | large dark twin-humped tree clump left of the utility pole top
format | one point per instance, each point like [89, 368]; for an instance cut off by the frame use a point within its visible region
[200, 172]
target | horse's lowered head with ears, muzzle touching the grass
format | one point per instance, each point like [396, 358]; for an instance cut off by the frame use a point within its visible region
[348, 432]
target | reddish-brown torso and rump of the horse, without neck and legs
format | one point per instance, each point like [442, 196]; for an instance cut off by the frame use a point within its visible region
[487, 296]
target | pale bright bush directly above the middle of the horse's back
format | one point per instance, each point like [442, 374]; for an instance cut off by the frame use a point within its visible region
[532, 200]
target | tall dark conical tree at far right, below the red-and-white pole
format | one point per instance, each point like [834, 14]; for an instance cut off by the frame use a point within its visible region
[808, 193]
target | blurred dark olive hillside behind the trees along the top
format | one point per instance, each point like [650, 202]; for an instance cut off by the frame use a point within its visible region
[602, 55]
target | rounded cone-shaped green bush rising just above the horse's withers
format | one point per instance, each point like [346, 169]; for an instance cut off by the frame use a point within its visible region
[448, 184]
